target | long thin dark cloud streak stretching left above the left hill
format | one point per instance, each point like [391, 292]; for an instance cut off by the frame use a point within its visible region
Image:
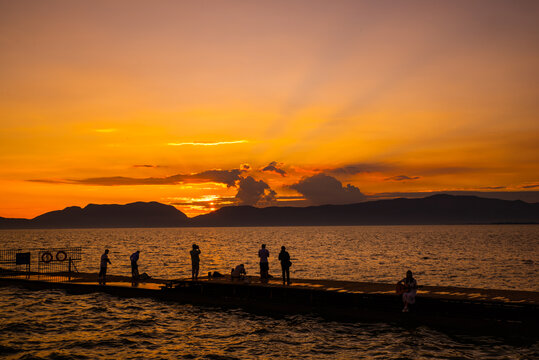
[227, 177]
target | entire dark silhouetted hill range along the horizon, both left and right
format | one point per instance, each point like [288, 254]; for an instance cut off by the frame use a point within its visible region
[436, 209]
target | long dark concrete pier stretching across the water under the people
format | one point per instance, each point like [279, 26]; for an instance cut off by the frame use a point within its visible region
[471, 310]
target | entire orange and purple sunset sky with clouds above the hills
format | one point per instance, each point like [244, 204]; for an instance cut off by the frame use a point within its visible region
[201, 104]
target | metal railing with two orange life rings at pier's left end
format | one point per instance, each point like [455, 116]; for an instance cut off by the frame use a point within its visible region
[49, 264]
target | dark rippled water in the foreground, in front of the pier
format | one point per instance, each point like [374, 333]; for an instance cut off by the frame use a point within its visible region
[54, 325]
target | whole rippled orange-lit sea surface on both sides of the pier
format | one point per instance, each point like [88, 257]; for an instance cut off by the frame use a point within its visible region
[54, 325]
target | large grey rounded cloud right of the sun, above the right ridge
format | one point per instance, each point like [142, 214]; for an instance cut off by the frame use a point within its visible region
[325, 189]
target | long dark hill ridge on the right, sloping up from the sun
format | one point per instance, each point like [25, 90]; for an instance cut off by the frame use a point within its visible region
[436, 209]
